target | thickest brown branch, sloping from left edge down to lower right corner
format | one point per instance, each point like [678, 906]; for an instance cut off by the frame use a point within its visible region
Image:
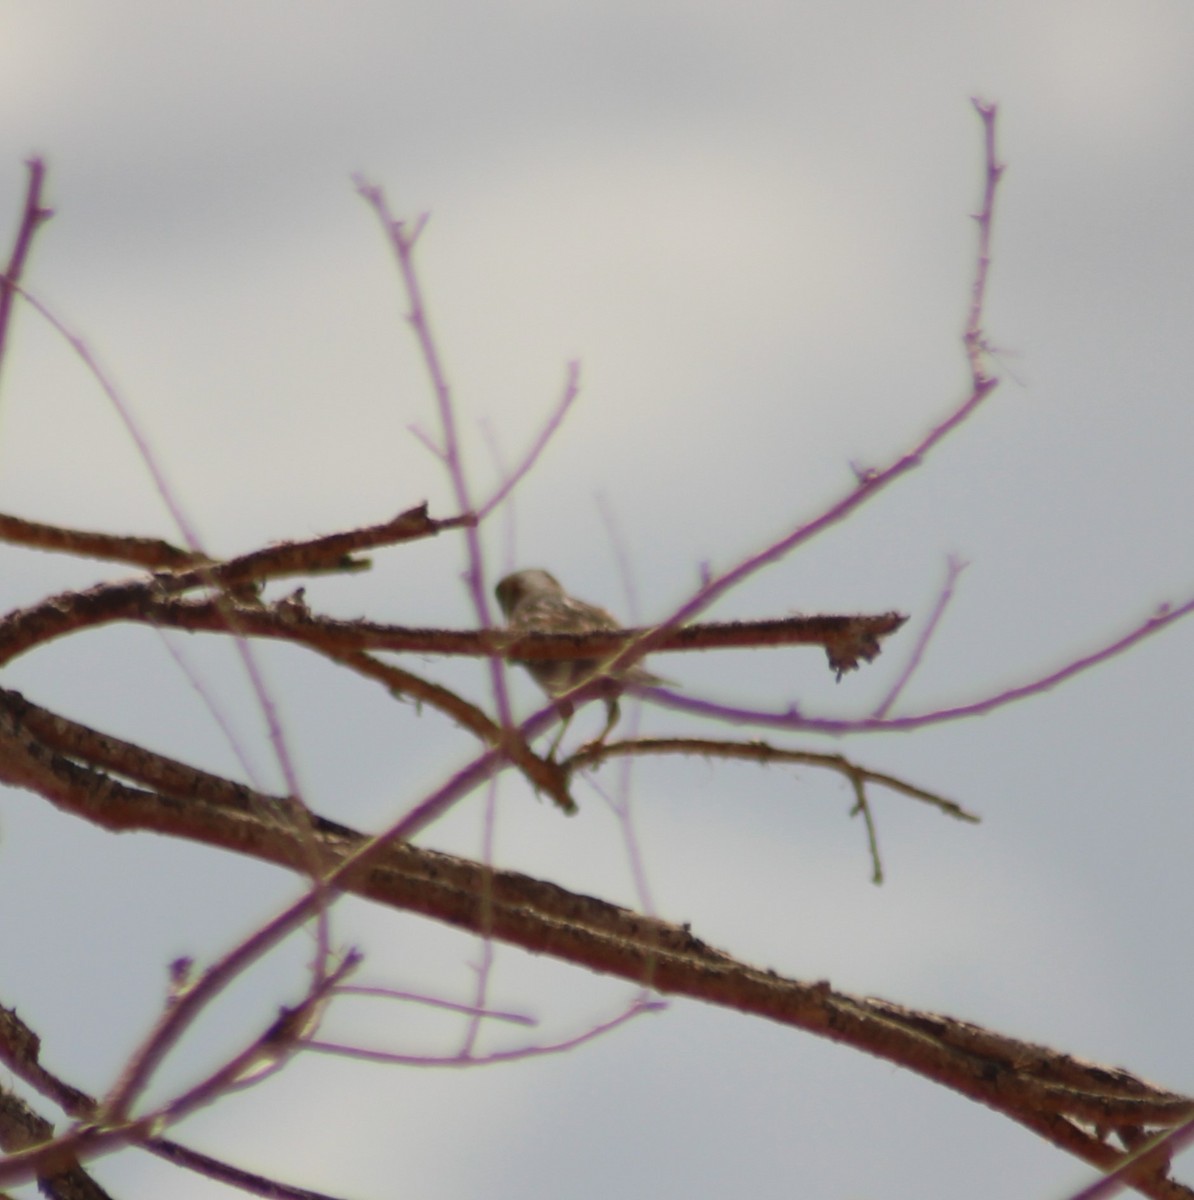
[1053, 1094]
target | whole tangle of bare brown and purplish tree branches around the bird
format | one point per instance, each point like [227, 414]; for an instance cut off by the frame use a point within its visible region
[1105, 1115]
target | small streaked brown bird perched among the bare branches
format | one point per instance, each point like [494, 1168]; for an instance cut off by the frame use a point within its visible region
[536, 603]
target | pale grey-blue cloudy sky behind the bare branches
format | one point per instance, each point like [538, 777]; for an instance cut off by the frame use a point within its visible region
[751, 224]
